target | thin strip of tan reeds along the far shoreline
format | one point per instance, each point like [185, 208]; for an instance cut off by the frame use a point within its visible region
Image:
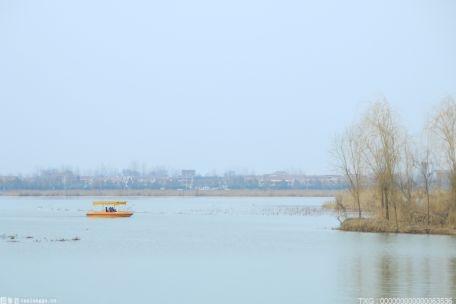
[190, 193]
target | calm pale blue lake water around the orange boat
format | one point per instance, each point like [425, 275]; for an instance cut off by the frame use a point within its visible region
[211, 250]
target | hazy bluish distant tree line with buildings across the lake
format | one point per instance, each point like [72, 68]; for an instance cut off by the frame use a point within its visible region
[65, 179]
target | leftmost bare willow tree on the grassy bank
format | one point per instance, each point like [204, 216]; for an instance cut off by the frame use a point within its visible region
[347, 151]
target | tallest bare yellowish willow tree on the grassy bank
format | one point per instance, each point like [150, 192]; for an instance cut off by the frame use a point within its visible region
[383, 142]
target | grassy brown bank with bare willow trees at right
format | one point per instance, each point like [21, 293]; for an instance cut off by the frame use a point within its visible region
[396, 184]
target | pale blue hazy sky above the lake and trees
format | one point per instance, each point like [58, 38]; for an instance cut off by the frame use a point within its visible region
[211, 85]
